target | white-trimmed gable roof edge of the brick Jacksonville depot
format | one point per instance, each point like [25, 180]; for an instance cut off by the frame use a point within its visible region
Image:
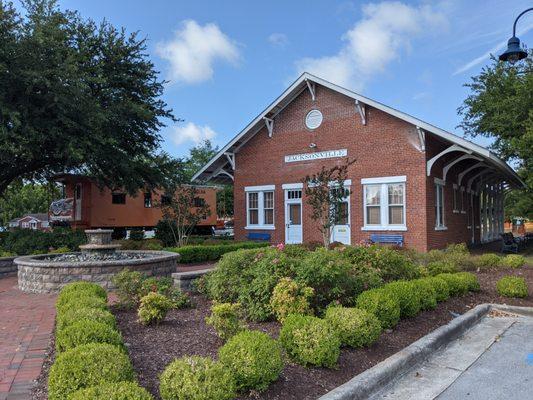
[221, 162]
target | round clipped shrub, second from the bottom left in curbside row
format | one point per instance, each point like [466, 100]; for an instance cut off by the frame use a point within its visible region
[254, 359]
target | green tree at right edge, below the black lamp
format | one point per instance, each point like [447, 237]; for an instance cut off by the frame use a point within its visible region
[500, 107]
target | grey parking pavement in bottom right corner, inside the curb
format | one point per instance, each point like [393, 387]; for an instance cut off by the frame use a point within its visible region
[491, 361]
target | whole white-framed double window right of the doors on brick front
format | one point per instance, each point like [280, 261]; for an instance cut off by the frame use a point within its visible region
[384, 203]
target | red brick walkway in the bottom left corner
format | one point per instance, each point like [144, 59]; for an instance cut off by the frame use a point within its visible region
[26, 323]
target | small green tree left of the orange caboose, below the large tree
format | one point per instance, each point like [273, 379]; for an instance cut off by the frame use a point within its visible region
[24, 198]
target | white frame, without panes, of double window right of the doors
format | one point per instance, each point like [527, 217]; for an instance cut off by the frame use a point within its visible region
[384, 203]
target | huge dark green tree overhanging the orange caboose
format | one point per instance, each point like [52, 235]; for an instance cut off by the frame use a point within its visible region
[77, 96]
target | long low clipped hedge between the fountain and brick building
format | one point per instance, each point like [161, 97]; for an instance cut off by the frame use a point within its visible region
[203, 253]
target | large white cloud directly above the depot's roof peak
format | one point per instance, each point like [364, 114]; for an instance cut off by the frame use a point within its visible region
[386, 29]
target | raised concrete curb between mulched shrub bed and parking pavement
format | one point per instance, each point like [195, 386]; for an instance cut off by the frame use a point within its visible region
[370, 381]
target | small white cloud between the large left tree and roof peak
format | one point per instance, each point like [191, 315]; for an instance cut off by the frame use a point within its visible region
[193, 51]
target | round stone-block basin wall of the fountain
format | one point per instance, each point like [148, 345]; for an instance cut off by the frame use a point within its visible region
[37, 274]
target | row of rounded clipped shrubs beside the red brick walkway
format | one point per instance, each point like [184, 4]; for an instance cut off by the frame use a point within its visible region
[91, 360]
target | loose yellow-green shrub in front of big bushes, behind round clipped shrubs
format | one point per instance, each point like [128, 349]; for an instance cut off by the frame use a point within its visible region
[289, 297]
